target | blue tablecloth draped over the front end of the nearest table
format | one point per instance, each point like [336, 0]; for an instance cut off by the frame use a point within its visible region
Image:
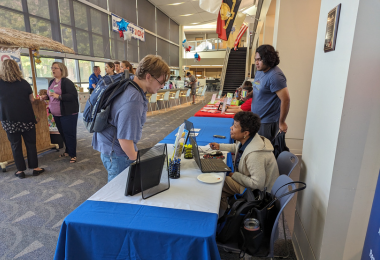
[106, 230]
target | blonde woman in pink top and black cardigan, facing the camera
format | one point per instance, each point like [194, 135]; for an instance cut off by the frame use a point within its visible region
[64, 107]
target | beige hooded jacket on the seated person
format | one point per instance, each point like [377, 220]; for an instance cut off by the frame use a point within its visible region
[257, 167]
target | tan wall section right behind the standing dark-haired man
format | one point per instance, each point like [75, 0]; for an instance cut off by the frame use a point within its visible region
[296, 33]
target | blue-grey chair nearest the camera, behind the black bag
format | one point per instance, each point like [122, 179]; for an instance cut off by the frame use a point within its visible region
[281, 180]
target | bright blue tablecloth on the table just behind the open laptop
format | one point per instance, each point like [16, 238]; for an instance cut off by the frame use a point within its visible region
[209, 126]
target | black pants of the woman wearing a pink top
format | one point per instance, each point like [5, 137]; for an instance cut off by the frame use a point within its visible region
[67, 127]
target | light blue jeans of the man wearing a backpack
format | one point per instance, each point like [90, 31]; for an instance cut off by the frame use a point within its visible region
[114, 164]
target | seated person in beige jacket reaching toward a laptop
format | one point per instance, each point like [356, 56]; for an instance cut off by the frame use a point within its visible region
[255, 165]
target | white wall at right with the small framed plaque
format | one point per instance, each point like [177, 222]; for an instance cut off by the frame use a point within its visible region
[340, 150]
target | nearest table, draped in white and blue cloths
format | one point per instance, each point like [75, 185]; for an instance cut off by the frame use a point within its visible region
[179, 223]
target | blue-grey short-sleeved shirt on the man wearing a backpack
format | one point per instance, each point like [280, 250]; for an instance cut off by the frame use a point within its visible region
[128, 114]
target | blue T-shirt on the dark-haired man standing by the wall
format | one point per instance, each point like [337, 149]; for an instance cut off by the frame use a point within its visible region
[265, 101]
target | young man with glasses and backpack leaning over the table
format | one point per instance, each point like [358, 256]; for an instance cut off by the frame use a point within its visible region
[117, 143]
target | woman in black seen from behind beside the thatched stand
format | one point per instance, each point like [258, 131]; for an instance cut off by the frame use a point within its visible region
[17, 117]
